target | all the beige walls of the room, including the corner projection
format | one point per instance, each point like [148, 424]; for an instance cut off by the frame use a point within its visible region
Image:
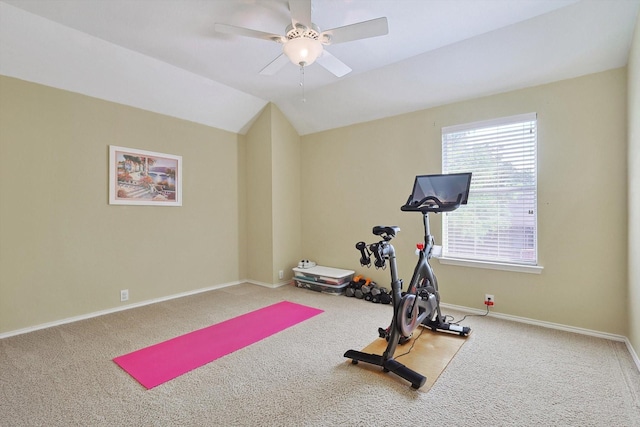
[65, 252]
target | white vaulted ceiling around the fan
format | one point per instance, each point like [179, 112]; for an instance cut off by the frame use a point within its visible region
[164, 55]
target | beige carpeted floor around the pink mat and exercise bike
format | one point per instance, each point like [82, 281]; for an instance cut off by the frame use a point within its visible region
[505, 374]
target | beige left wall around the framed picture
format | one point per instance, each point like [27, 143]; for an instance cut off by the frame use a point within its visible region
[64, 251]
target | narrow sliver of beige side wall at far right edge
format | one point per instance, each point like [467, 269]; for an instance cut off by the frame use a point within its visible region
[634, 191]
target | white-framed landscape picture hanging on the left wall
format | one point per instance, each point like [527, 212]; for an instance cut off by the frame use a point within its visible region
[138, 177]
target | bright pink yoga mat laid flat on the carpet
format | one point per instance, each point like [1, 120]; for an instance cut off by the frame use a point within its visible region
[159, 363]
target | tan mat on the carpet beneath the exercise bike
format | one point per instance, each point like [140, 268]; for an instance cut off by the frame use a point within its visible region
[427, 353]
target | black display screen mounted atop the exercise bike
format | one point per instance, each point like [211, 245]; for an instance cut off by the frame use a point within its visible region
[446, 187]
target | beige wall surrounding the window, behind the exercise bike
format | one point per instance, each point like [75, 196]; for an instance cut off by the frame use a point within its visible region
[582, 209]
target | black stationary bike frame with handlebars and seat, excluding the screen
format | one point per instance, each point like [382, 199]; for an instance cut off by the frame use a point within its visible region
[419, 305]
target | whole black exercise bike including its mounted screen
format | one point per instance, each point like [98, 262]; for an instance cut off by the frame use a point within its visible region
[420, 304]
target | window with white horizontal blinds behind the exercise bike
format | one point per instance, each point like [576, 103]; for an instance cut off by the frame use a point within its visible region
[499, 223]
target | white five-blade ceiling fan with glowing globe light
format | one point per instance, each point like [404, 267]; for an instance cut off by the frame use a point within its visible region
[303, 42]
